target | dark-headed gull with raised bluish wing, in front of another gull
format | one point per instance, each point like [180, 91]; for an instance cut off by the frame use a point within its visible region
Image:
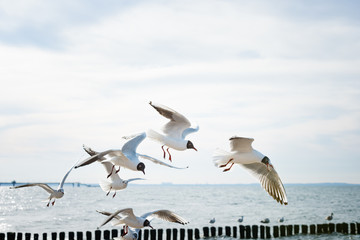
[127, 157]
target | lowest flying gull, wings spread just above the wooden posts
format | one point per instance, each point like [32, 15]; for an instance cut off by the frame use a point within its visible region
[127, 218]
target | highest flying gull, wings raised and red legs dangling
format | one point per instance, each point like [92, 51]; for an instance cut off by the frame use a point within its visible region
[175, 130]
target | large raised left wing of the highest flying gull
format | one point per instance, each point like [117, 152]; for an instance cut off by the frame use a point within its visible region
[177, 124]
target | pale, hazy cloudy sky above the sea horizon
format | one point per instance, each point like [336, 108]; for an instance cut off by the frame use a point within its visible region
[285, 73]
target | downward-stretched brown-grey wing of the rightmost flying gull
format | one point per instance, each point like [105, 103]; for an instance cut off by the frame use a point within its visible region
[269, 180]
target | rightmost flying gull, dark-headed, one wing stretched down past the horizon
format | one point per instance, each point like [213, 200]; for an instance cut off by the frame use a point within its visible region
[255, 162]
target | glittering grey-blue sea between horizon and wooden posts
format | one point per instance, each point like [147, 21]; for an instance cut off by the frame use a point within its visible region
[22, 210]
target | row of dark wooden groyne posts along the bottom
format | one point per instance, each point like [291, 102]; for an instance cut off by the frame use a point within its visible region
[241, 231]
